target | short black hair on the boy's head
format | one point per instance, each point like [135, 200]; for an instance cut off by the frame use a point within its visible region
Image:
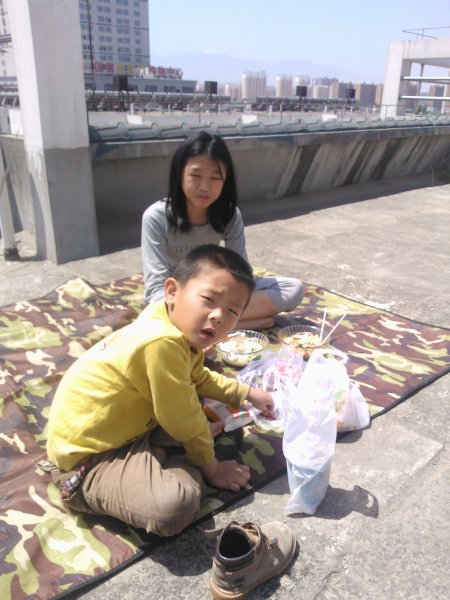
[217, 257]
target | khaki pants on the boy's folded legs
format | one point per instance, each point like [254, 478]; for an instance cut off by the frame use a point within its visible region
[141, 485]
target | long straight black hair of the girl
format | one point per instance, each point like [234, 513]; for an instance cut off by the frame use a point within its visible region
[222, 210]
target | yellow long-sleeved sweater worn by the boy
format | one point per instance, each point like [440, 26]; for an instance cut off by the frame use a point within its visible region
[140, 376]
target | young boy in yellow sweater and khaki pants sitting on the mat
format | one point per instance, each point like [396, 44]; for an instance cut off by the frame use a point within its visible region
[148, 374]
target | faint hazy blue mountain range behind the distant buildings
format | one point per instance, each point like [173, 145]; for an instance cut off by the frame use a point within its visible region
[227, 69]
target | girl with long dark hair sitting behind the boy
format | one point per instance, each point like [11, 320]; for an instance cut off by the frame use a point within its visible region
[201, 208]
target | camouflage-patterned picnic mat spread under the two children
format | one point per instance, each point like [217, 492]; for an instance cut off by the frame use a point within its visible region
[47, 552]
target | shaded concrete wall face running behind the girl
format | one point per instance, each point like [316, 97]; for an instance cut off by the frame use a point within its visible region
[130, 176]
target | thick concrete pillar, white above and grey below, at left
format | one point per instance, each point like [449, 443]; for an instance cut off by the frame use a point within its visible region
[46, 37]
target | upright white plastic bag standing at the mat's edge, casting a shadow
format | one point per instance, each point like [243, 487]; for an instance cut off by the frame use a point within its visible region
[309, 439]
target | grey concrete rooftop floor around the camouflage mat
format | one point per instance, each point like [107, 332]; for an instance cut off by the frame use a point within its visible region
[383, 530]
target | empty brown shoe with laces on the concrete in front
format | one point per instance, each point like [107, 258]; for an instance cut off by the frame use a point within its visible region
[248, 554]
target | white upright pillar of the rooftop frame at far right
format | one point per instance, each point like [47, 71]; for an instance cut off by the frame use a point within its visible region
[394, 87]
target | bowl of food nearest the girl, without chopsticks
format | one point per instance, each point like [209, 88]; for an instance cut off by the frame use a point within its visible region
[239, 348]
